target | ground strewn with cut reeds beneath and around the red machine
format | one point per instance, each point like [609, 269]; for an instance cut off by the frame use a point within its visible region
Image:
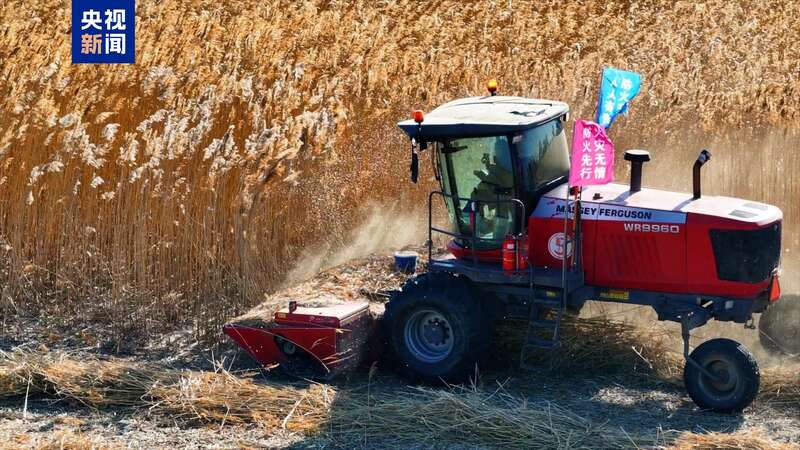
[613, 385]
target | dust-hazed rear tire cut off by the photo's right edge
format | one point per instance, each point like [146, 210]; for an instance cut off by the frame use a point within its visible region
[779, 326]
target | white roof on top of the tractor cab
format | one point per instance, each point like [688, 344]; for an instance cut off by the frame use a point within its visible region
[483, 116]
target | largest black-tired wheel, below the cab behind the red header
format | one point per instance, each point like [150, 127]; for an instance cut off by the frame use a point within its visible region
[443, 305]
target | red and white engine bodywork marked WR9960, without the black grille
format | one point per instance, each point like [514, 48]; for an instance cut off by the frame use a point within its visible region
[651, 240]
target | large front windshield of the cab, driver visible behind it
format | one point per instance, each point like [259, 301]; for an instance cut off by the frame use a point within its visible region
[479, 170]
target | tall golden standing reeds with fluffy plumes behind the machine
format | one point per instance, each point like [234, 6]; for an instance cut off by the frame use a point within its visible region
[248, 135]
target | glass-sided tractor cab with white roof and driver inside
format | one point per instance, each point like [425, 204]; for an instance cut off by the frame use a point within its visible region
[495, 157]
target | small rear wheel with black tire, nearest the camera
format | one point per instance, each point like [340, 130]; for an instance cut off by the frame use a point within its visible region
[737, 366]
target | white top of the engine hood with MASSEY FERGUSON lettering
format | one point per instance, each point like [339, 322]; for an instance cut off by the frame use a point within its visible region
[670, 207]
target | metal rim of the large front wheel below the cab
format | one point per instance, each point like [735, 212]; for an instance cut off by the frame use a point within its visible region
[428, 336]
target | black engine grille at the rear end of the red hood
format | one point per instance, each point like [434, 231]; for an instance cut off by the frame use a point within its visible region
[747, 256]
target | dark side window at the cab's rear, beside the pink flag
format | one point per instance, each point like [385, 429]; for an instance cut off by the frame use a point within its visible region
[544, 157]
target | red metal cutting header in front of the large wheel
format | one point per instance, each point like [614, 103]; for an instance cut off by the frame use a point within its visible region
[332, 336]
